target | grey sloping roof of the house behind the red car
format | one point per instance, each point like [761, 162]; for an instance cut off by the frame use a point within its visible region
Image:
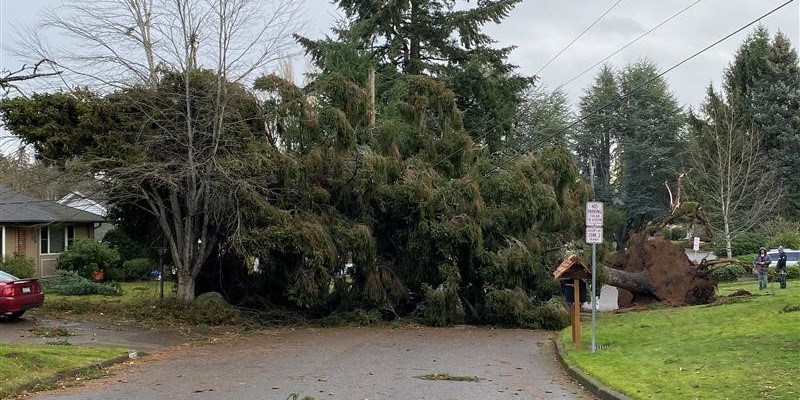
[16, 207]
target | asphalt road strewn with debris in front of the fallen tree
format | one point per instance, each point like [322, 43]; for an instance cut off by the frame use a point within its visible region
[345, 364]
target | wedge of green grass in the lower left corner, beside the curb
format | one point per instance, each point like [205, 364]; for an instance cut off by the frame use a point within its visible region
[27, 364]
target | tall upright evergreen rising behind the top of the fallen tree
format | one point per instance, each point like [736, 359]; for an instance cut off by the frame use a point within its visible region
[434, 38]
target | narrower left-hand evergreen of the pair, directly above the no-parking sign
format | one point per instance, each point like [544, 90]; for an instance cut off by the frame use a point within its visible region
[598, 132]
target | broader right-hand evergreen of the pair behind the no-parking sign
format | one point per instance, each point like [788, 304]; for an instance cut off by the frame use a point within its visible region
[651, 151]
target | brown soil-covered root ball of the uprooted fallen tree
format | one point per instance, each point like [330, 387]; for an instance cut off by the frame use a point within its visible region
[662, 270]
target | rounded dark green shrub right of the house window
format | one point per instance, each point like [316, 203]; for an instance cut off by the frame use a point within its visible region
[85, 256]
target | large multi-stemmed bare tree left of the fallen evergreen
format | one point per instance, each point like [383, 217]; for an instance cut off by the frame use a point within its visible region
[123, 44]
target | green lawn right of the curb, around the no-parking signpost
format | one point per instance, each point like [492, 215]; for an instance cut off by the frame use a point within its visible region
[745, 349]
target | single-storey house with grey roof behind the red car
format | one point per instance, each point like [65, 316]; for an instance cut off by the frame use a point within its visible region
[41, 229]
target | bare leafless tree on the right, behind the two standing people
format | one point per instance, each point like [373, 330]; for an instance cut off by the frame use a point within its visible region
[731, 175]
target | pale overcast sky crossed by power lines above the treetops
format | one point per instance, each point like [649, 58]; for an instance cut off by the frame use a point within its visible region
[541, 28]
